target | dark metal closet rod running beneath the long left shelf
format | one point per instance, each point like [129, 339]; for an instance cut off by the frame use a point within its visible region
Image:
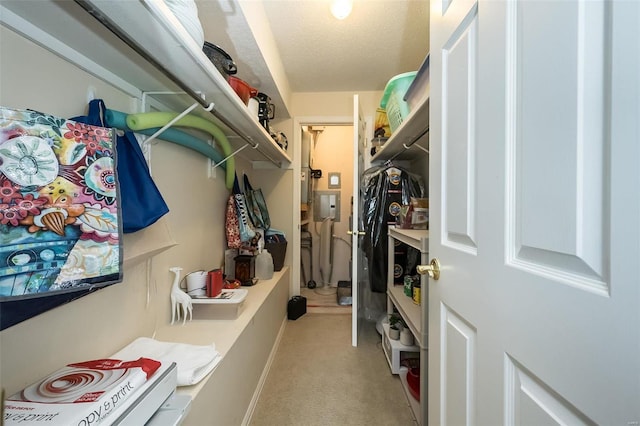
[111, 26]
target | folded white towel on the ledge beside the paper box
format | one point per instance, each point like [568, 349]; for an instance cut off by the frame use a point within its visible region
[193, 362]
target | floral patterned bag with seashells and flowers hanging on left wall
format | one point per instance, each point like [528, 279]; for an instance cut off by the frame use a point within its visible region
[60, 228]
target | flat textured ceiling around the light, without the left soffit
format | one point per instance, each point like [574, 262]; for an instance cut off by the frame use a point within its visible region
[380, 39]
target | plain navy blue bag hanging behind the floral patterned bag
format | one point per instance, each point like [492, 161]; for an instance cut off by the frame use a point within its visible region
[140, 200]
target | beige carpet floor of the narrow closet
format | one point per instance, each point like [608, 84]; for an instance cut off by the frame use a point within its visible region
[318, 378]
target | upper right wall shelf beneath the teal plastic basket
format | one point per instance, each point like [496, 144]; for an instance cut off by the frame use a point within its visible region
[412, 130]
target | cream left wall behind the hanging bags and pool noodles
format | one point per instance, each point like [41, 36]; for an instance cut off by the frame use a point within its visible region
[101, 323]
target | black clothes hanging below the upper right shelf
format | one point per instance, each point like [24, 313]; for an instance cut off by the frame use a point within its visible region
[386, 188]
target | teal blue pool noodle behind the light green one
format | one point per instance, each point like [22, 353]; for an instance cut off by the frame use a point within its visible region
[118, 120]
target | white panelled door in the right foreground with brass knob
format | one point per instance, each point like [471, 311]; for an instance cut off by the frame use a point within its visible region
[534, 195]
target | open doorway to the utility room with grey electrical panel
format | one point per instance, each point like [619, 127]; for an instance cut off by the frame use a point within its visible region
[326, 189]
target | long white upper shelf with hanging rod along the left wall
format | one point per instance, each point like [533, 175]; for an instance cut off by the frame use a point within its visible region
[140, 47]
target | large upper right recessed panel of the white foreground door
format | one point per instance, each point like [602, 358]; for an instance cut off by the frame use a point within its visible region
[568, 242]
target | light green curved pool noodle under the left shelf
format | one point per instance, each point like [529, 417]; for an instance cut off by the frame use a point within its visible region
[146, 120]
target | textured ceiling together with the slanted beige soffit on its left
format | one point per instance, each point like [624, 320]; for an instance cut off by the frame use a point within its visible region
[315, 51]
